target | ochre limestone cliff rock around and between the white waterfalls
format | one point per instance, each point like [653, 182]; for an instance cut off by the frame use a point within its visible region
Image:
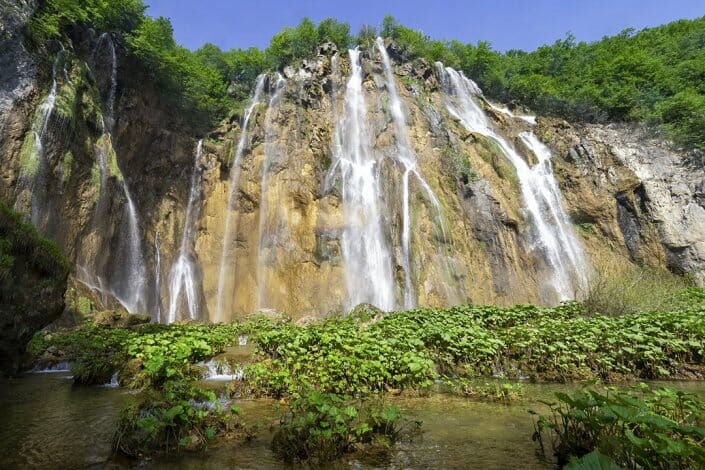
[629, 199]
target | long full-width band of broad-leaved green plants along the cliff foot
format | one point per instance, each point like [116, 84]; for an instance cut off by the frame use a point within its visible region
[366, 352]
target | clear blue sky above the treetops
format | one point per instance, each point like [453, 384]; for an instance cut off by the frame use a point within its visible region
[507, 24]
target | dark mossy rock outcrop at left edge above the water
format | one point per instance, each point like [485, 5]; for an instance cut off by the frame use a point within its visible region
[33, 275]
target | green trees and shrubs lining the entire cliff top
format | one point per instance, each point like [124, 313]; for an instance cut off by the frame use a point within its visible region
[655, 75]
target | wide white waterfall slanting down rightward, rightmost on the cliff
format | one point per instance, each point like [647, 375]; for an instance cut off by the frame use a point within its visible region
[540, 192]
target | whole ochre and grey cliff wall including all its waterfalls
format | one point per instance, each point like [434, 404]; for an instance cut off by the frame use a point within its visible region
[357, 178]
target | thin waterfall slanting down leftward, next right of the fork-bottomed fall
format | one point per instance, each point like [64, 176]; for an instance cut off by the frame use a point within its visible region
[235, 170]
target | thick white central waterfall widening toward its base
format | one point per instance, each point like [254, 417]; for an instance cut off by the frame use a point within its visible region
[366, 254]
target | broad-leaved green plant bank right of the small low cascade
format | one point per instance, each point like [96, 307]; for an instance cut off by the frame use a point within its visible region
[359, 354]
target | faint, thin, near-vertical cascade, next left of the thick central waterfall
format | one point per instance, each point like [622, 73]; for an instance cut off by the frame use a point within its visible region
[268, 235]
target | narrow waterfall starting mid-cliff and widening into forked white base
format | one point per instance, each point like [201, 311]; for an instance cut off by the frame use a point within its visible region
[183, 277]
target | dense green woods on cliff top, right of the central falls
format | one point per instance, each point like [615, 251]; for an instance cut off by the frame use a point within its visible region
[656, 75]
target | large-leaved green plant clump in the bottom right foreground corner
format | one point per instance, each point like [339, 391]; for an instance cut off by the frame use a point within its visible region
[657, 429]
